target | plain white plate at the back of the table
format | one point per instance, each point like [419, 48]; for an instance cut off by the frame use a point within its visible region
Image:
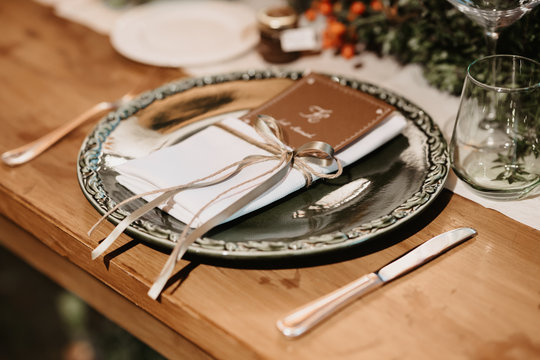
[185, 33]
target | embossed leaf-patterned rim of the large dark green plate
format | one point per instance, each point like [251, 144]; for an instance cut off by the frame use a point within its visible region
[88, 165]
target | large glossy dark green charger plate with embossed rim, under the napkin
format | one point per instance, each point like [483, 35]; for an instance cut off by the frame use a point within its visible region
[374, 195]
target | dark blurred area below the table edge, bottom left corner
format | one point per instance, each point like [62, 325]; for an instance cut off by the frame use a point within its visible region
[41, 320]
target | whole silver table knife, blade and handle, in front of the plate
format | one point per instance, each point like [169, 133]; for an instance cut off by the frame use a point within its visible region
[309, 315]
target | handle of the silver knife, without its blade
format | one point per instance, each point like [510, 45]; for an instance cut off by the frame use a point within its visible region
[305, 317]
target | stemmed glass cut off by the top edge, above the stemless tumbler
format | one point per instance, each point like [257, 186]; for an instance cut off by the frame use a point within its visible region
[493, 15]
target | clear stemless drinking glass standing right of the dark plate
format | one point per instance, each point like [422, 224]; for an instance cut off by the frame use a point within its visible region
[500, 162]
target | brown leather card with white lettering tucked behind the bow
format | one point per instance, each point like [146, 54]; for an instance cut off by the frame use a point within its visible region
[317, 108]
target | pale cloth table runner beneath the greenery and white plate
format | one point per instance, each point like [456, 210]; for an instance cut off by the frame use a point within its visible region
[406, 81]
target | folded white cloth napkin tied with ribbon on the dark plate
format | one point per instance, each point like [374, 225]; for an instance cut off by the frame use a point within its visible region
[214, 148]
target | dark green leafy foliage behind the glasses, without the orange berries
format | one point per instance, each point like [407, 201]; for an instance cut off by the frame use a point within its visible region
[434, 34]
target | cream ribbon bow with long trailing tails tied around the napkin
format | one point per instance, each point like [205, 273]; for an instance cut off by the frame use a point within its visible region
[303, 158]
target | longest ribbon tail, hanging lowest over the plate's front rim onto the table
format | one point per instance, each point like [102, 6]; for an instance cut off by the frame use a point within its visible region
[185, 241]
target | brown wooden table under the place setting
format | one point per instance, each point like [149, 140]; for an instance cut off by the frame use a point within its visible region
[479, 301]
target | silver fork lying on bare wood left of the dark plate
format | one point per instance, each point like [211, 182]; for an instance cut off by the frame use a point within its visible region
[29, 151]
